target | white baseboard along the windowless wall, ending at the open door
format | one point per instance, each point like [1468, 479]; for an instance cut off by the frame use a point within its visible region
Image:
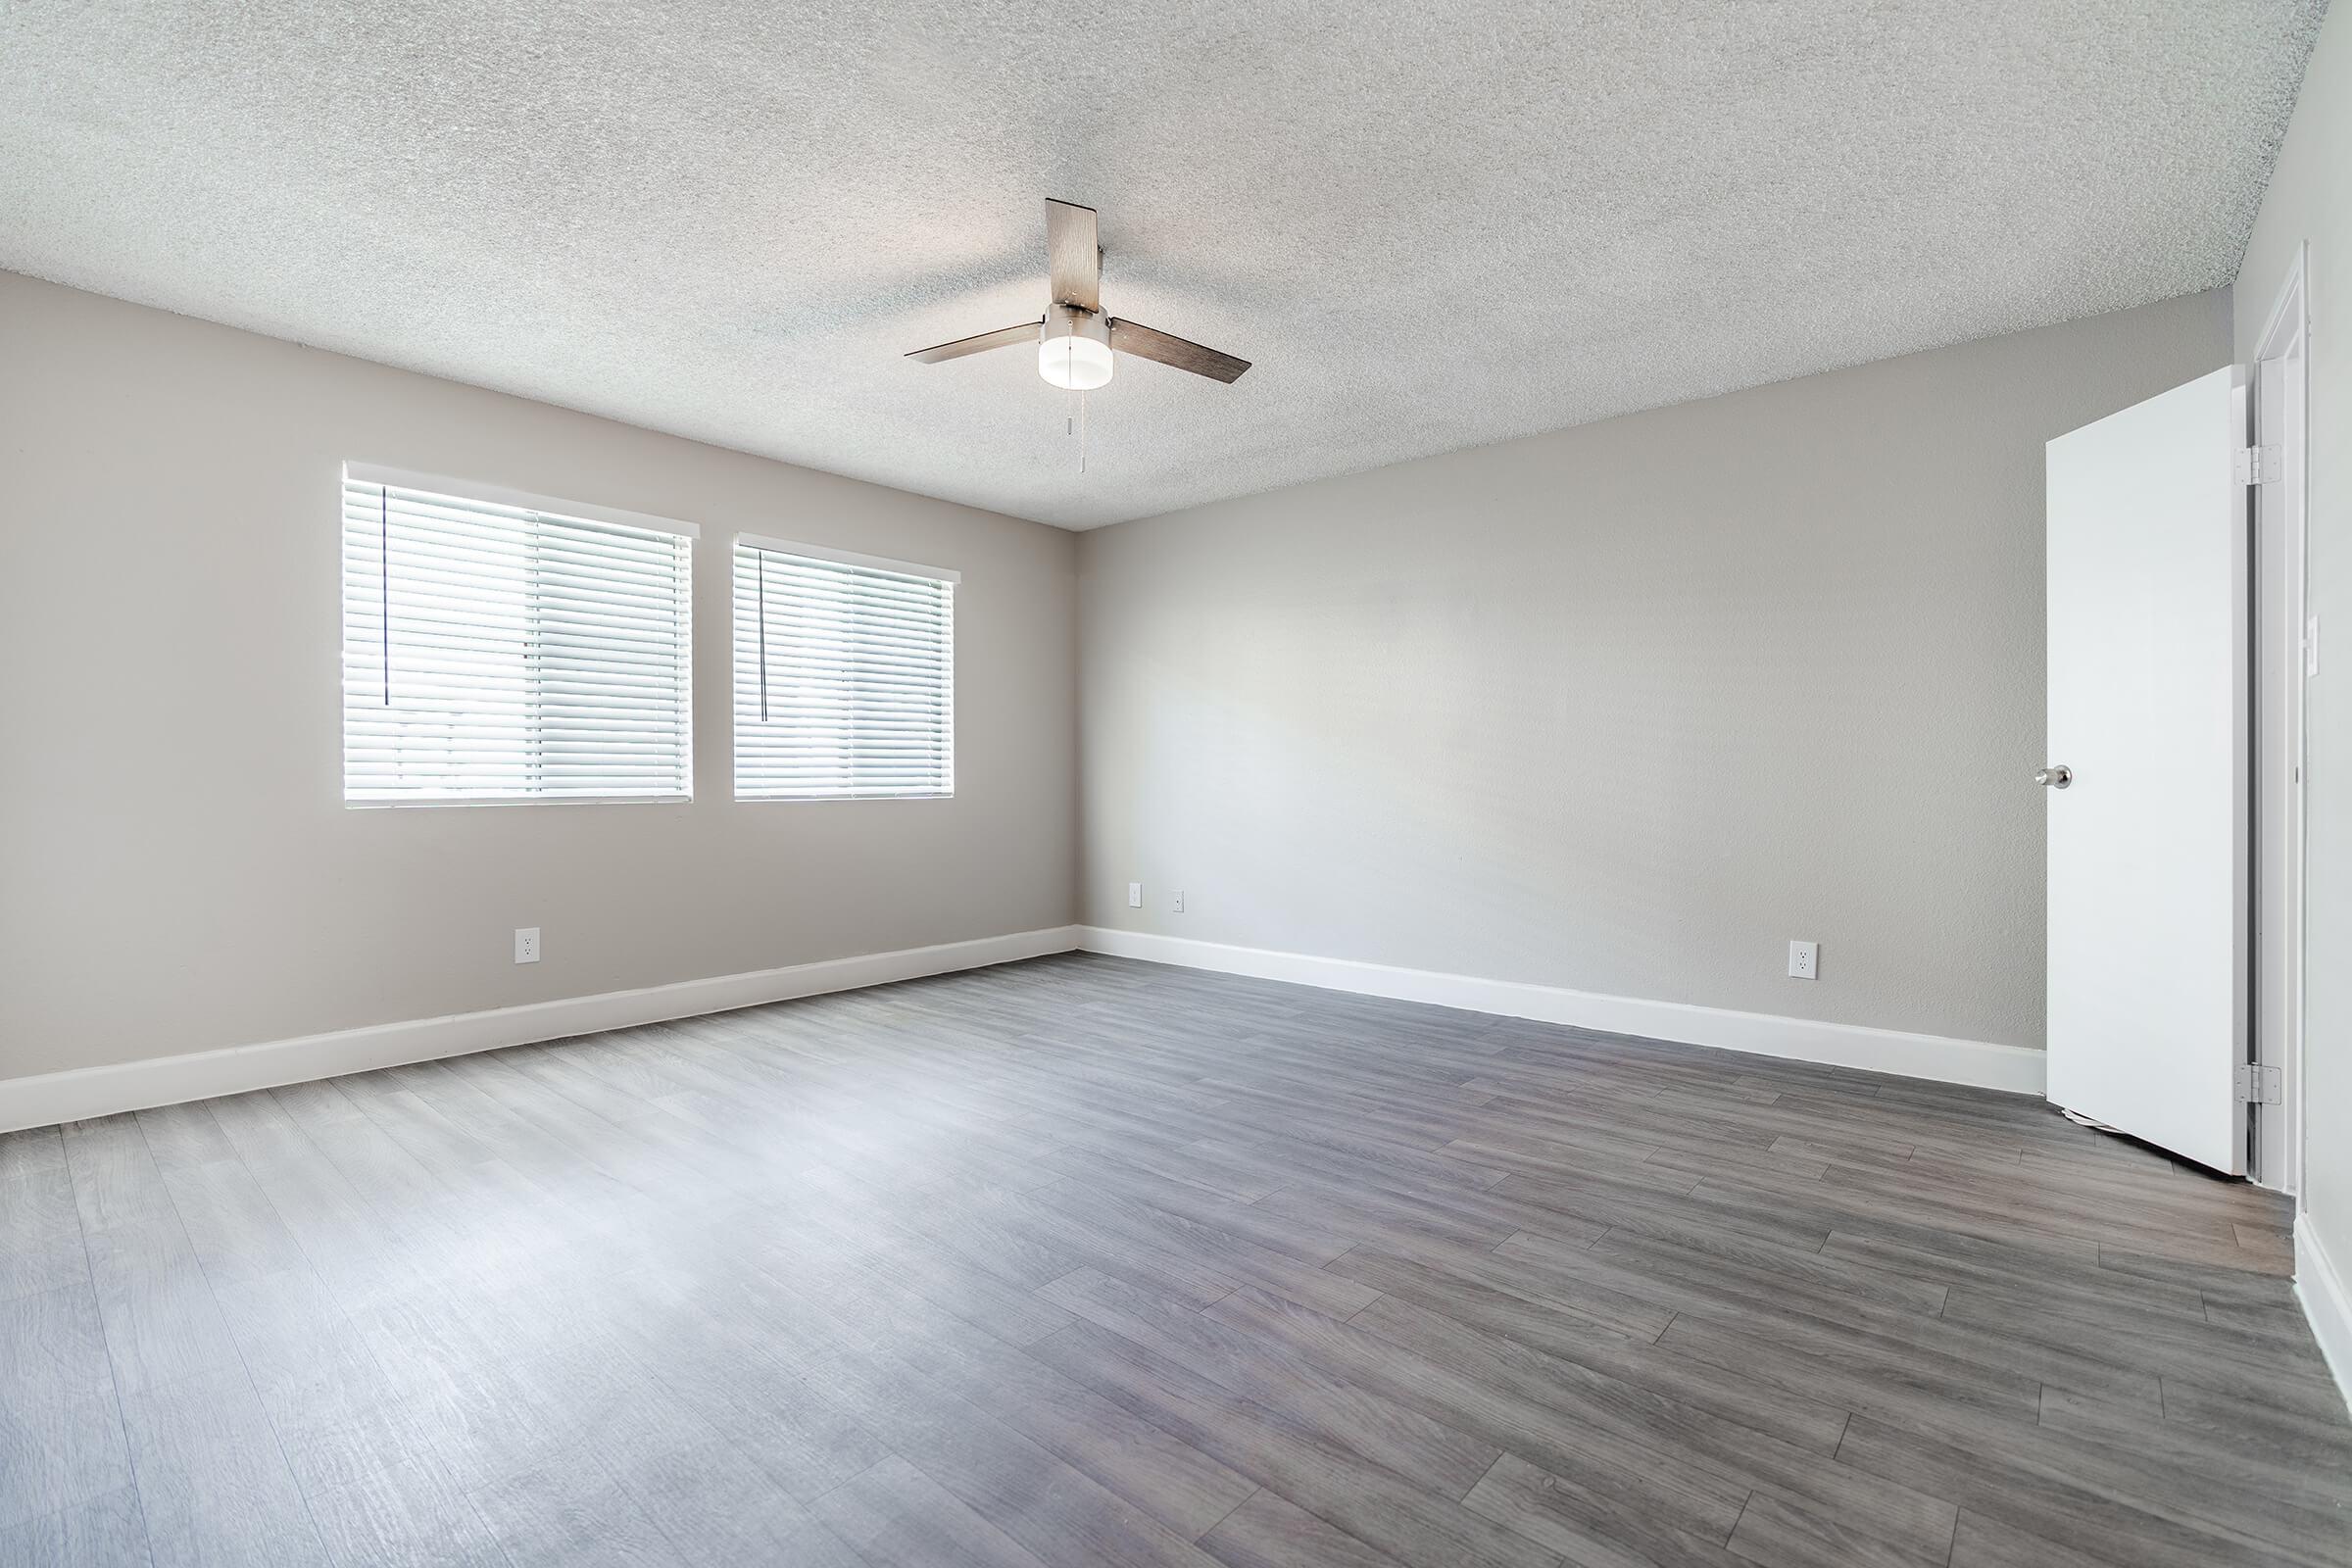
[1843, 1045]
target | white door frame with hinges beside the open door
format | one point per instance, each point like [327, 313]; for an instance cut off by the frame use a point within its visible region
[2280, 521]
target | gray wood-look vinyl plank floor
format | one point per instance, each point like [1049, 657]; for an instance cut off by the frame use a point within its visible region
[1090, 1261]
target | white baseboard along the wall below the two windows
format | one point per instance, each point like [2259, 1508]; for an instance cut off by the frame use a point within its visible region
[171, 1080]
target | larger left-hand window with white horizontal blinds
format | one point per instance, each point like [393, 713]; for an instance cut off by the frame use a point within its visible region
[500, 648]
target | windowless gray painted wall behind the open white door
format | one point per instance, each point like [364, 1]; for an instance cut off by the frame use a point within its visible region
[1629, 706]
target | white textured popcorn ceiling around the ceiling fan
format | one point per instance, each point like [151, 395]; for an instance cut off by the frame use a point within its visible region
[1426, 225]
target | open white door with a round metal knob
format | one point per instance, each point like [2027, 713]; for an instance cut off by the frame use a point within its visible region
[2149, 709]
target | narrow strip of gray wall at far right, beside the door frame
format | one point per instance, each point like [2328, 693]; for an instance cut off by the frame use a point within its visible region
[2311, 199]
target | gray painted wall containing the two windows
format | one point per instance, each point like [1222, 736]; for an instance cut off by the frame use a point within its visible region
[178, 869]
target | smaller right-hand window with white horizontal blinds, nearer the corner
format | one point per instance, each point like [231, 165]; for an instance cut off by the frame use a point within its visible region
[846, 676]
